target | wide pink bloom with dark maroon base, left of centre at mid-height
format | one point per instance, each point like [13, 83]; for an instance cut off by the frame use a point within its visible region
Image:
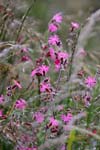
[40, 71]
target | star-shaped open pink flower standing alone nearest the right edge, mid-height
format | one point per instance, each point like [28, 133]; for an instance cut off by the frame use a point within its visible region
[90, 82]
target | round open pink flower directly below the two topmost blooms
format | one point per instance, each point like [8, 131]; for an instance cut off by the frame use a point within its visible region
[54, 40]
